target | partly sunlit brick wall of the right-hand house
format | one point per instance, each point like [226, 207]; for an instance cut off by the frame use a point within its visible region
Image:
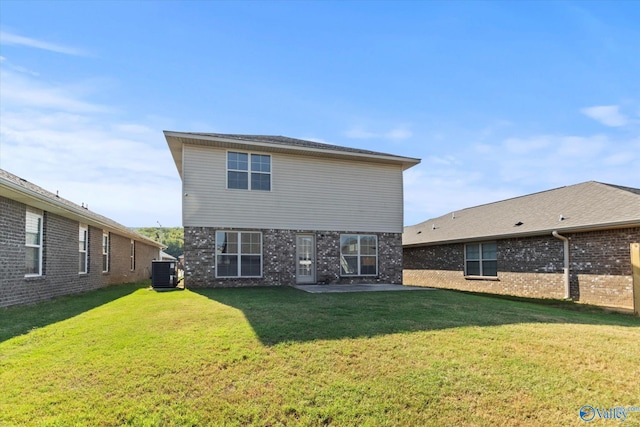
[600, 267]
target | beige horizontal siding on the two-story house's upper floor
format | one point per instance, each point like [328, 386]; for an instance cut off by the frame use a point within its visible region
[307, 193]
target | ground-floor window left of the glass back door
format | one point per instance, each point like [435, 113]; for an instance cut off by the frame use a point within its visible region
[238, 254]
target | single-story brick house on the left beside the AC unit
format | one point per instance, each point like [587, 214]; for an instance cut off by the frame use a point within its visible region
[50, 246]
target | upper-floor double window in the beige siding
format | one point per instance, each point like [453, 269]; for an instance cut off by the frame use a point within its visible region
[248, 171]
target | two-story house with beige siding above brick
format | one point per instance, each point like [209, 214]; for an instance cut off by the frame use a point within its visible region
[270, 210]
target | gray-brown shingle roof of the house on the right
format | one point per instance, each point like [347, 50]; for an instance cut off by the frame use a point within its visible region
[589, 205]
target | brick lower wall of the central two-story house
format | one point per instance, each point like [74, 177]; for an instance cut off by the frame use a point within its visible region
[279, 258]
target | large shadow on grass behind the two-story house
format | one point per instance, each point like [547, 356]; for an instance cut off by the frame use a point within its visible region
[286, 314]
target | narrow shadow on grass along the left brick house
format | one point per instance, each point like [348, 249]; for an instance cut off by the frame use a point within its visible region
[15, 321]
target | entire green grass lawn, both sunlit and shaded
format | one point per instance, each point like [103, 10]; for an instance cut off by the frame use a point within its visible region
[127, 355]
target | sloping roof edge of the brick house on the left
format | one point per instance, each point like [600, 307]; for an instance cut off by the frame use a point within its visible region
[16, 188]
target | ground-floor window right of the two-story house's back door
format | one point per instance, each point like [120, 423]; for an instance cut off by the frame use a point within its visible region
[358, 255]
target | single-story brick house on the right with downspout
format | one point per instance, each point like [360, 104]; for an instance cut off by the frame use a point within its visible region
[518, 247]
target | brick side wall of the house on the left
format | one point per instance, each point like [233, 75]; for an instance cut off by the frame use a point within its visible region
[60, 258]
